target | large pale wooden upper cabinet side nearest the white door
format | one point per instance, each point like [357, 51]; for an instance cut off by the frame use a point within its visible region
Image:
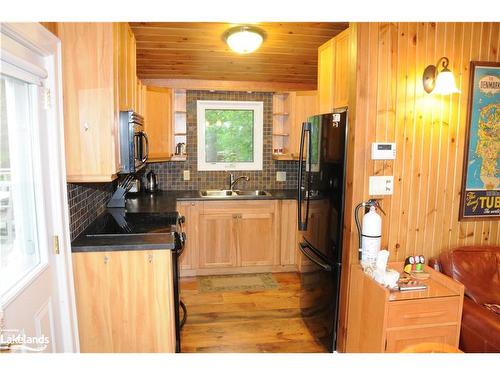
[90, 96]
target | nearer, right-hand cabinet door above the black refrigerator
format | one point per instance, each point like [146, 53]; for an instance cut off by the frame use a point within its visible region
[341, 73]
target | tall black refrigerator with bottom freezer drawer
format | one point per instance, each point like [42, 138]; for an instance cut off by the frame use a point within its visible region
[320, 206]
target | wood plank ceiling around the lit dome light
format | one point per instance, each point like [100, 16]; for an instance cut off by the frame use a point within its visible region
[196, 50]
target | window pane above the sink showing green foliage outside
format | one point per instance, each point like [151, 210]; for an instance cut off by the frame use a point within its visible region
[229, 135]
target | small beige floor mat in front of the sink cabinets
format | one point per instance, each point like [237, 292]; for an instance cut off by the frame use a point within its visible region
[227, 283]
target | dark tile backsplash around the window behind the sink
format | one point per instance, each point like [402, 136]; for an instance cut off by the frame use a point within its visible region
[170, 174]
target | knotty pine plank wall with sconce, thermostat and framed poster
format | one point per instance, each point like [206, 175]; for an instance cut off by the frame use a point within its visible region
[388, 103]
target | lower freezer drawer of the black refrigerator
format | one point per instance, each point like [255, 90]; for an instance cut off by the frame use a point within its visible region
[320, 280]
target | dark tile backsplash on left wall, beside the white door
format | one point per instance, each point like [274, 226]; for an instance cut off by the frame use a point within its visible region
[86, 202]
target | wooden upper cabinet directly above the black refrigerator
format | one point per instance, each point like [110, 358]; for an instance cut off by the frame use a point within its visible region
[333, 66]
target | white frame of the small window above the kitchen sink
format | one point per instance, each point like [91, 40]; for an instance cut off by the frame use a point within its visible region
[258, 134]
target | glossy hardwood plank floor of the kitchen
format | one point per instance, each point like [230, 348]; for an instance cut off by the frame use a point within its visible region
[267, 321]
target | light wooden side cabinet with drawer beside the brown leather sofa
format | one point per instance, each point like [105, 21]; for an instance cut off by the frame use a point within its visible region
[384, 321]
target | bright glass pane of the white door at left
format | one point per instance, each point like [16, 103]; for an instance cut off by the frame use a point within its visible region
[19, 250]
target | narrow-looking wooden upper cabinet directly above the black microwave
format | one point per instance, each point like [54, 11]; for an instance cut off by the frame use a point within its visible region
[127, 68]
